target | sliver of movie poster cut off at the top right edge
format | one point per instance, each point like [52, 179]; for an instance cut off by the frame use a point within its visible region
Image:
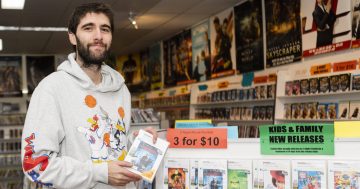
[355, 27]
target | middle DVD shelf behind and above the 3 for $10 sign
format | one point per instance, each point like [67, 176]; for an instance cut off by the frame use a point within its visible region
[233, 104]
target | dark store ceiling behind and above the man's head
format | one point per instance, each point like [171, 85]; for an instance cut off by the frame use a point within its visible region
[157, 20]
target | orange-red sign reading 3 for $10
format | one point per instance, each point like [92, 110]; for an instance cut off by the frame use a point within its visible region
[197, 138]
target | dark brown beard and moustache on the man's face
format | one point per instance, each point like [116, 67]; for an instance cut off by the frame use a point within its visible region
[90, 58]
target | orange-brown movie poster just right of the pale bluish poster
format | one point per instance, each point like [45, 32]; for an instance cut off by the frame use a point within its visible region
[222, 44]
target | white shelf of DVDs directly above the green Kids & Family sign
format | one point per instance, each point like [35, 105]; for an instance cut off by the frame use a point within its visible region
[318, 98]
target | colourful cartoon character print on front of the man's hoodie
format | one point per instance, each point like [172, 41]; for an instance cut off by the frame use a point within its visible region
[106, 137]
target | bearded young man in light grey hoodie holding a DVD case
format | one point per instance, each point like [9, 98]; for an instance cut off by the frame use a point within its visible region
[76, 126]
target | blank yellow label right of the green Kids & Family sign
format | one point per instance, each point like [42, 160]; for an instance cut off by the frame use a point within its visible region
[347, 129]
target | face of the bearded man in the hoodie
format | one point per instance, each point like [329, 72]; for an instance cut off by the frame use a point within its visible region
[92, 39]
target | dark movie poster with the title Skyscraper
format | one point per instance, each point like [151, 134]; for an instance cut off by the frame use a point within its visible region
[283, 33]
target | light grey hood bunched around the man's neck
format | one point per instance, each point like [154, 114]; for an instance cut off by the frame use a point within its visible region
[111, 80]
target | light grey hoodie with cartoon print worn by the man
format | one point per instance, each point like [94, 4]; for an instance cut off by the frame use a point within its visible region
[73, 127]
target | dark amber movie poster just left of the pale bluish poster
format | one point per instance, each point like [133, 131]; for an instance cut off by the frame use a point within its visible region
[178, 59]
